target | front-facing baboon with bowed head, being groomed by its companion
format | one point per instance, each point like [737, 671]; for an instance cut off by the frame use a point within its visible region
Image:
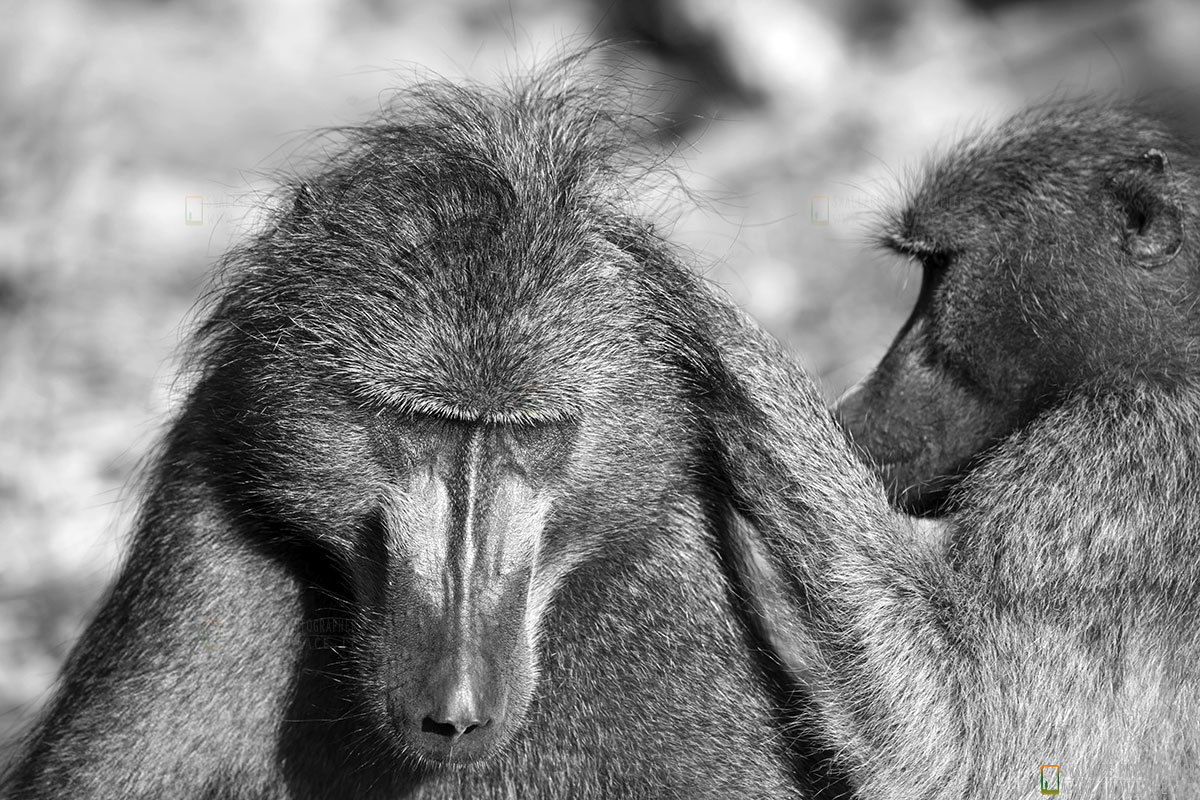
[436, 519]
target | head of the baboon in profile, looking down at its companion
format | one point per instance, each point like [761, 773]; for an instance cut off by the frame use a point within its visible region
[1054, 254]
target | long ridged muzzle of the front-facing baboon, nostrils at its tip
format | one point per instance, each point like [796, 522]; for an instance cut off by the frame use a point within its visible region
[465, 543]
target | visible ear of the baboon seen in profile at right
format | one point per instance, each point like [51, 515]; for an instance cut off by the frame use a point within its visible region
[1153, 219]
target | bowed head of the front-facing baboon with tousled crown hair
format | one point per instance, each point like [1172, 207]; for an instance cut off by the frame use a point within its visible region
[431, 371]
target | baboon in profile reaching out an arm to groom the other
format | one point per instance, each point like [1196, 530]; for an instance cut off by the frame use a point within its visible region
[1049, 375]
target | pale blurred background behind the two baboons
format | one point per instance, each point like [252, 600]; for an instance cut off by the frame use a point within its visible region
[137, 139]
